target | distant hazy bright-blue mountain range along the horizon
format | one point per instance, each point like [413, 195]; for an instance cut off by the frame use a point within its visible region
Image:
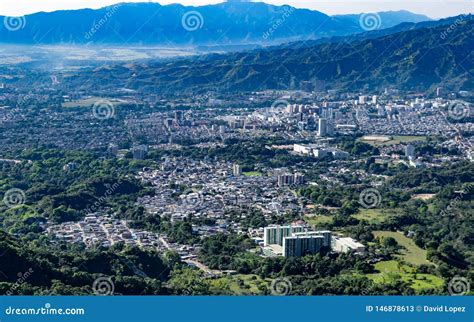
[175, 24]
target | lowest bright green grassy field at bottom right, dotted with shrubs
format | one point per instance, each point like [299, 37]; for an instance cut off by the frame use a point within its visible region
[390, 271]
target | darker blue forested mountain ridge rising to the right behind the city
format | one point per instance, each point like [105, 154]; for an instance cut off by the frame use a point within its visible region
[420, 58]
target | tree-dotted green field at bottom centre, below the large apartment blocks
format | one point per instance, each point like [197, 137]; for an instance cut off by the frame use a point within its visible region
[241, 284]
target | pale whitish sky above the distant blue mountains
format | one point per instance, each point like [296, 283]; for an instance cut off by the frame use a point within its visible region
[431, 8]
